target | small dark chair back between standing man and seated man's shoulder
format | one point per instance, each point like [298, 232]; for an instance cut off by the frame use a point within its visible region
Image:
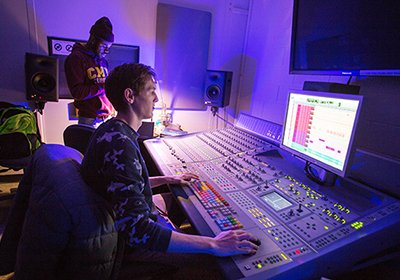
[77, 136]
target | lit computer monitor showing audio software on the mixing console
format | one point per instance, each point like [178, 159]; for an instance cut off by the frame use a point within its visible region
[319, 127]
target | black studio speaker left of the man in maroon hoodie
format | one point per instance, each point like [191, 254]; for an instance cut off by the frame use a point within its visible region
[41, 75]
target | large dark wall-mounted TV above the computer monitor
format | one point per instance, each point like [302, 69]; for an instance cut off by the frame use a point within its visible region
[340, 48]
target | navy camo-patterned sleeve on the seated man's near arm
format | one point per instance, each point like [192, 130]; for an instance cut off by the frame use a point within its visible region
[123, 174]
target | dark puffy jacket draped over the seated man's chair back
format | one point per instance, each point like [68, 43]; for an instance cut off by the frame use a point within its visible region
[59, 227]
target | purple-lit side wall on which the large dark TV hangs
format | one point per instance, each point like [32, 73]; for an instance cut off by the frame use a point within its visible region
[267, 80]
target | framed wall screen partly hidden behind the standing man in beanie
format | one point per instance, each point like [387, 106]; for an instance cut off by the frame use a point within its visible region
[62, 47]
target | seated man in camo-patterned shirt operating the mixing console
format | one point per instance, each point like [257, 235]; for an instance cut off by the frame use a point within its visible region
[114, 167]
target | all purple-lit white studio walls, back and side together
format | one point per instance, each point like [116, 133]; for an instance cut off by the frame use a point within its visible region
[249, 37]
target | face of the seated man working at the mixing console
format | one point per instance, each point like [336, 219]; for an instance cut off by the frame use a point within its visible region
[146, 99]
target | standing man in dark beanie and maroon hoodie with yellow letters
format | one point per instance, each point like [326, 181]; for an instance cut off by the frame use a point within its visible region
[86, 69]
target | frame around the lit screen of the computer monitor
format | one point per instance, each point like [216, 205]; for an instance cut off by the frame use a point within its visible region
[314, 160]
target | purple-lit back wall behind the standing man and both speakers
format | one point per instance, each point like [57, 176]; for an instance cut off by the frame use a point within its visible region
[134, 22]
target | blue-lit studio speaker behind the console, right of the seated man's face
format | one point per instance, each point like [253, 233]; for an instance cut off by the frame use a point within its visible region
[217, 88]
